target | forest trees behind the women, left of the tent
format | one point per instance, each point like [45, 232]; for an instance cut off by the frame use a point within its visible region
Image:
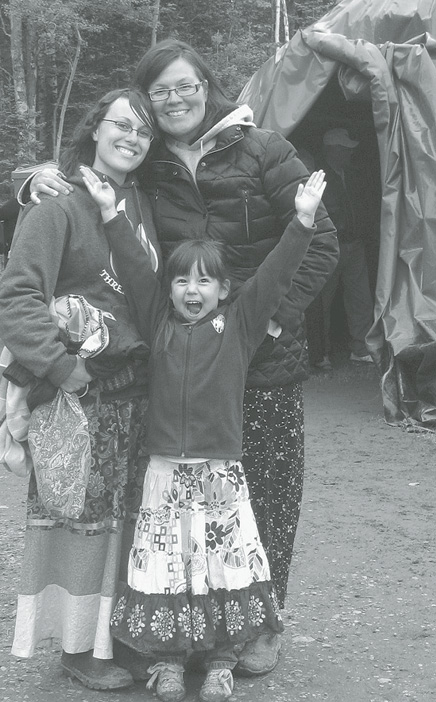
[58, 56]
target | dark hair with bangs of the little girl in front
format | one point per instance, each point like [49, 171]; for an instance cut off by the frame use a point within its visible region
[210, 257]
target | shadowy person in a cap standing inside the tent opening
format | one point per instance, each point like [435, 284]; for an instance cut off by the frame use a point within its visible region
[351, 271]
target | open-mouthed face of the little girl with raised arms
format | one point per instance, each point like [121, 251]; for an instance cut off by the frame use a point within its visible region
[196, 294]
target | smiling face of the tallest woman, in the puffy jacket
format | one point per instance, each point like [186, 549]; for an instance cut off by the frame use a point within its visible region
[179, 117]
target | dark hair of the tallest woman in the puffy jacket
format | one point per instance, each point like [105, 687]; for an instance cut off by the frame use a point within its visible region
[160, 56]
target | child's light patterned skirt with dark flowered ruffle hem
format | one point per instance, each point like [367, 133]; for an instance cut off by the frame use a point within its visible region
[198, 575]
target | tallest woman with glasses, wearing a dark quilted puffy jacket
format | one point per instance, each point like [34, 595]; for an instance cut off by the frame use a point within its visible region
[214, 175]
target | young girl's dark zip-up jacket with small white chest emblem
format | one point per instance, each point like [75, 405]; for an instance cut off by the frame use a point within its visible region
[198, 371]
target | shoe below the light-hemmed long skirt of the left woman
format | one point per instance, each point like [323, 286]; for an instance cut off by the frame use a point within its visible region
[95, 673]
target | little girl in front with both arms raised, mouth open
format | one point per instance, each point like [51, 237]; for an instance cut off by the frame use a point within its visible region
[198, 576]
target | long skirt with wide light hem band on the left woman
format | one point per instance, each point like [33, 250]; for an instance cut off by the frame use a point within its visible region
[71, 568]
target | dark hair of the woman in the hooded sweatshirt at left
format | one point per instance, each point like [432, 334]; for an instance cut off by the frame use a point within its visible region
[82, 145]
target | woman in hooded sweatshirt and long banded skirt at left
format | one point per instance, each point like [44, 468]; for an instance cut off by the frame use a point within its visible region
[70, 566]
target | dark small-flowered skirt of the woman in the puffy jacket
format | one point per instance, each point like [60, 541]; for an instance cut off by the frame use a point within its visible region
[273, 457]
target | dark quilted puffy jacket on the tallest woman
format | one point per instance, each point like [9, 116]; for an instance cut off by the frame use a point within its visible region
[244, 195]
